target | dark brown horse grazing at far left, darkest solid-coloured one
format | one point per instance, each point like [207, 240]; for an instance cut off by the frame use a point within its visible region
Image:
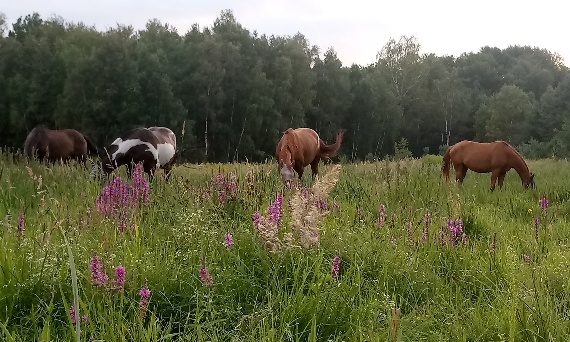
[55, 145]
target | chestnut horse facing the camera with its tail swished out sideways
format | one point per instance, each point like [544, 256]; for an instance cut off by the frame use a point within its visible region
[301, 147]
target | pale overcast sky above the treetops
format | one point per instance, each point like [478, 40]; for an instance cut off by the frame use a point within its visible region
[356, 29]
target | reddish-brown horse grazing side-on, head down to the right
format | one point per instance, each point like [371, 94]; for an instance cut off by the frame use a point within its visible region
[496, 157]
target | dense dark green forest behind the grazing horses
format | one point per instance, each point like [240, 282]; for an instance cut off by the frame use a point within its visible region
[229, 93]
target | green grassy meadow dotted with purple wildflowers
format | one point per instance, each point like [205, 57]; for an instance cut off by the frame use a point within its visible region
[372, 252]
